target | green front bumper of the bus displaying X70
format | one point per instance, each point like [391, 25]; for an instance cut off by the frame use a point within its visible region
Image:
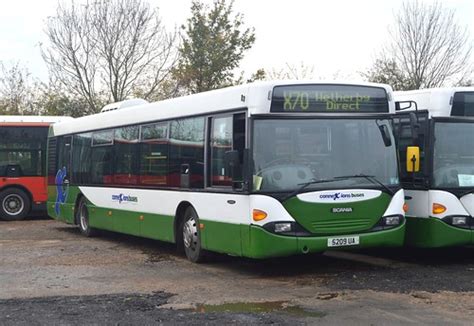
[264, 244]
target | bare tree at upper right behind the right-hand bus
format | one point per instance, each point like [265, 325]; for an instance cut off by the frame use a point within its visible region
[427, 45]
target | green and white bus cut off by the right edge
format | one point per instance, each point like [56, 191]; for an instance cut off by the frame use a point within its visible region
[440, 194]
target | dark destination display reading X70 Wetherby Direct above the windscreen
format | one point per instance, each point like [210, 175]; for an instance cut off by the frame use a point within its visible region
[329, 99]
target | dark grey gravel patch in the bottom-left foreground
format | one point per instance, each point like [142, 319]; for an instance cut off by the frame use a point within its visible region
[121, 309]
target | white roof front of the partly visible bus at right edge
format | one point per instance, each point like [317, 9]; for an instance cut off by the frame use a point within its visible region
[437, 101]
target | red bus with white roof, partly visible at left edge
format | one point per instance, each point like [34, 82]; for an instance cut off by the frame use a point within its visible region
[23, 184]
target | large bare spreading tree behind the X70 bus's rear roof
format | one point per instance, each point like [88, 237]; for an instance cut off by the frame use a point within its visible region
[113, 47]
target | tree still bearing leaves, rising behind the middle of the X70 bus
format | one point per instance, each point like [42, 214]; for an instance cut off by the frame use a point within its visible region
[212, 47]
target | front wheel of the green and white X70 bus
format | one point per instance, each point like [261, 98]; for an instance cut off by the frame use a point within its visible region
[191, 236]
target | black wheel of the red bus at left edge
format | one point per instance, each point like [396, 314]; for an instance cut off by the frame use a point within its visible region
[15, 204]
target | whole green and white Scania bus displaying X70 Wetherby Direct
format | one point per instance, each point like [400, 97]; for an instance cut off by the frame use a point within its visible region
[260, 170]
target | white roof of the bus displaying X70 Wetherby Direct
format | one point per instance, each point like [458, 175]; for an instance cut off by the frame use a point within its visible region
[255, 96]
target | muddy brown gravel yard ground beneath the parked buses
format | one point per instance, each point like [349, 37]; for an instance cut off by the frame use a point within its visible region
[50, 274]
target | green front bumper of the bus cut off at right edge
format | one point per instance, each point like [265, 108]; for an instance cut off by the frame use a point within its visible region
[431, 232]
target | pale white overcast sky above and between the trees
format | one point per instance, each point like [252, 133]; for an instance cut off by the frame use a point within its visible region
[336, 37]
